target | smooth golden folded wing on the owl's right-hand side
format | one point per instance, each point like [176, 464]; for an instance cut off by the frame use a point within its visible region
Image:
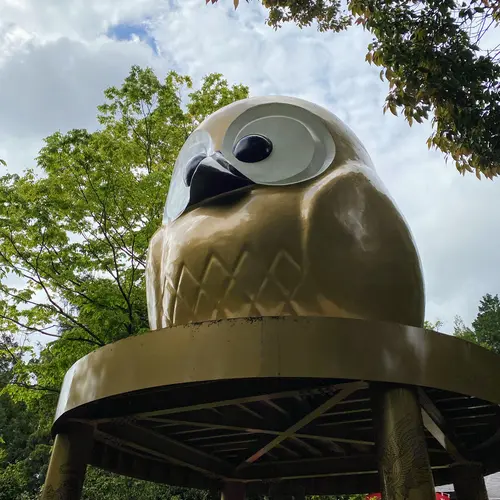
[360, 252]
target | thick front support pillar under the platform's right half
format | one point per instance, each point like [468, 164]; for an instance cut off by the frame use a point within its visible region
[403, 460]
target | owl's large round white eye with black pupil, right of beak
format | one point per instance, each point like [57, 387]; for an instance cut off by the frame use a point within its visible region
[302, 146]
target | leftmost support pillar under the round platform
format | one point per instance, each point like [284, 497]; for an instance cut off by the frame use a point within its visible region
[68, 463]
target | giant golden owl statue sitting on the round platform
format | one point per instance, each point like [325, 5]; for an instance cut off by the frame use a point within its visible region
[275, 209]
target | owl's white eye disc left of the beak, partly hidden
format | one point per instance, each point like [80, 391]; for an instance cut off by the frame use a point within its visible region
[199, 142]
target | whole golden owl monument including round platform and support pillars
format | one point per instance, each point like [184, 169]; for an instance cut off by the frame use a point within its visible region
[255, 291]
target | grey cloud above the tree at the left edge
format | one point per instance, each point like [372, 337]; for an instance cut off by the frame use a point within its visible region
[58, 84]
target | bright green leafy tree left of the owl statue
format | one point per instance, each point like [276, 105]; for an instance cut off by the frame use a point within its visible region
[73, 241]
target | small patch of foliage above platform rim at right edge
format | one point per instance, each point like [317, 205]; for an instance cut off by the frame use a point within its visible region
[485, 329]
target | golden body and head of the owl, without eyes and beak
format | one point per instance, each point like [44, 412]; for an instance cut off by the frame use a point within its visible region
[334, 246]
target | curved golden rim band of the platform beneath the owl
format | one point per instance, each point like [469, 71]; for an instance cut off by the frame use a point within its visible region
[333, 348]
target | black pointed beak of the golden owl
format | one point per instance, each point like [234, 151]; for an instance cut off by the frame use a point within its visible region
[213, 176]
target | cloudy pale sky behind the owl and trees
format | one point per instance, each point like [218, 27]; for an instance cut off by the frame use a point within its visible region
[58, 56]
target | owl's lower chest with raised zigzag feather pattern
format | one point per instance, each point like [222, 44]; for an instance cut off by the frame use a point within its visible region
[223, 283]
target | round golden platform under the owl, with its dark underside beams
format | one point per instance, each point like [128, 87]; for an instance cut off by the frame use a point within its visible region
[278, 402]
